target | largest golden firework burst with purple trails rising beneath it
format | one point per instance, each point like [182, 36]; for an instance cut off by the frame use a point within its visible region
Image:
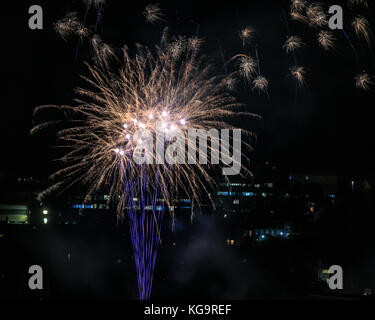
[115, 118]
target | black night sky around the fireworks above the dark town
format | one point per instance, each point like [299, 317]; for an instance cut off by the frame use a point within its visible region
[330, 128]
